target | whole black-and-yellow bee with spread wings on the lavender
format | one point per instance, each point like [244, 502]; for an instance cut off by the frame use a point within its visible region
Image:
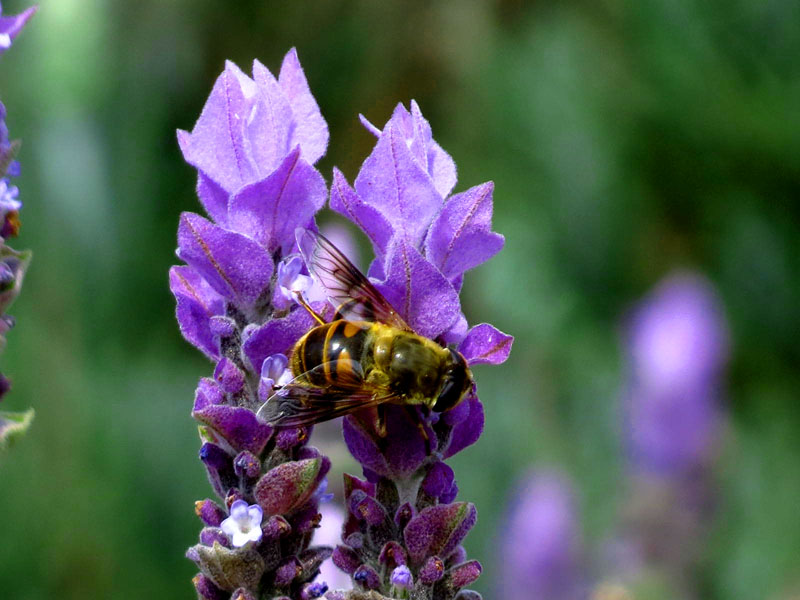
[366, 357]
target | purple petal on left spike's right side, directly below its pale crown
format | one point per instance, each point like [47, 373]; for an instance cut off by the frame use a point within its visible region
[270, 210]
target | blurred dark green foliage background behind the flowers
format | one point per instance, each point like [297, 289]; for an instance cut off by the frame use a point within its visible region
[625, 139]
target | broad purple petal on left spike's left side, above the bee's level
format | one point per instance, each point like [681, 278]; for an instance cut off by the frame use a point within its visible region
[234, 265]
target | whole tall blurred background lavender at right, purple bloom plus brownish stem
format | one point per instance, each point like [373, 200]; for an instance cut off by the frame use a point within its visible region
[677, 347]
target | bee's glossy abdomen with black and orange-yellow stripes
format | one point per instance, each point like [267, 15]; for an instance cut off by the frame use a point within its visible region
[337, 341]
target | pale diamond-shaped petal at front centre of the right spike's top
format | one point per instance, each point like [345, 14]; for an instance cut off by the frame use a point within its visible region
[392, 182]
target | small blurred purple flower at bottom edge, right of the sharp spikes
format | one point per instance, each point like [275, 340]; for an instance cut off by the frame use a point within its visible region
[539, 553]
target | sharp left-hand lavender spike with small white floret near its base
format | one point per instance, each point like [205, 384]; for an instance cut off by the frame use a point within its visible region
[253, 146]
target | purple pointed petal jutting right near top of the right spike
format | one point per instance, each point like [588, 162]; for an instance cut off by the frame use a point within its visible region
[461, 237]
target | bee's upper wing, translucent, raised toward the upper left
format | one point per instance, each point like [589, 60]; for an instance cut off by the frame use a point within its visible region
[357, 299]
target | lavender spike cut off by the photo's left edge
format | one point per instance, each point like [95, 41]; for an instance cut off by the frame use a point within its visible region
[13, 263]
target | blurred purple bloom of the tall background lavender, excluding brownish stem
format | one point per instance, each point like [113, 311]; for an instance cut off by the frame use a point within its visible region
[677, 346]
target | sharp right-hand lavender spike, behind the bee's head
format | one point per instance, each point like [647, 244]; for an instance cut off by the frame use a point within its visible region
[404, 514]
